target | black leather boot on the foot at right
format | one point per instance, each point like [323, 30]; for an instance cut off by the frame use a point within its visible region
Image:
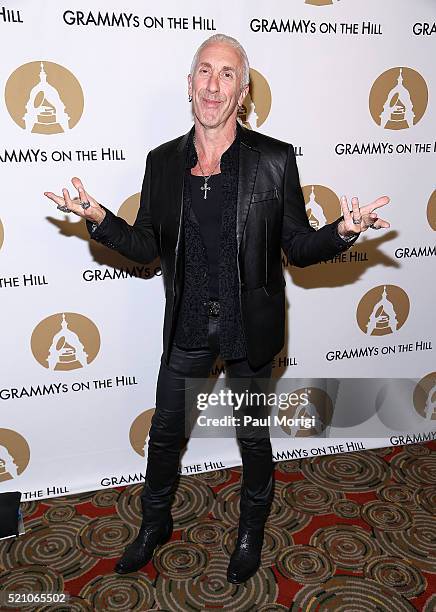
[245, 559]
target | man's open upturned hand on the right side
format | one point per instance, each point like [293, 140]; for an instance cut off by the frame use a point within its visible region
[360, 219]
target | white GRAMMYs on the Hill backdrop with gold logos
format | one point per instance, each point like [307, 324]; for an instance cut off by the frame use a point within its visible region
[87, 90]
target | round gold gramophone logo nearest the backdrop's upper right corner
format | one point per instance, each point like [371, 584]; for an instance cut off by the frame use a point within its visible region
[398, 98]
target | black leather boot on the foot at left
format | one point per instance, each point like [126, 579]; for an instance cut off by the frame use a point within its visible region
[156, 529]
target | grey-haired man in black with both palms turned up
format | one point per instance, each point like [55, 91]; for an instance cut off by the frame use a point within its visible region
[217, 206]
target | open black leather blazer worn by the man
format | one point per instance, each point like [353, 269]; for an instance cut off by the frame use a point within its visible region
[271, 215]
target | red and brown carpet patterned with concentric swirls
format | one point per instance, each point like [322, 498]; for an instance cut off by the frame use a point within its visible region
[347, 533]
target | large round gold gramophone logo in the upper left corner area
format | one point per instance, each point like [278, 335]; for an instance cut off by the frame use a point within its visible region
[44, 98]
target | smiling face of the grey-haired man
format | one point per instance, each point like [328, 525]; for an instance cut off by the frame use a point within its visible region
[215, 86]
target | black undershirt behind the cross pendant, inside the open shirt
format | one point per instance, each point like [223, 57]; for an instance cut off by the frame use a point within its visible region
[208, 213]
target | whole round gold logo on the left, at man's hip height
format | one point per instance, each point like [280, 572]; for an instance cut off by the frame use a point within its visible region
[65, 341]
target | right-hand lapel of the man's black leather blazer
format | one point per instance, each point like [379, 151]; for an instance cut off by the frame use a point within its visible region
[248, 164]
